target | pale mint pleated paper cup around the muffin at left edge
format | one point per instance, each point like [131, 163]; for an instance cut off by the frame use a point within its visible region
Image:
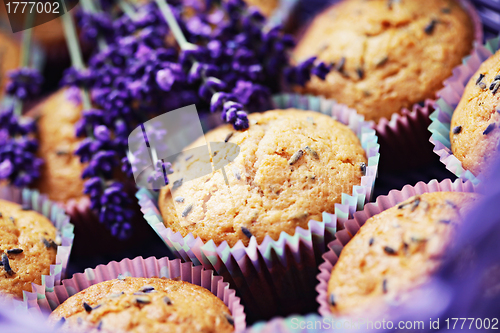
[35, 201]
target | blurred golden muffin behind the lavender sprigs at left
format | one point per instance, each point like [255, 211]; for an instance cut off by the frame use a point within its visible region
[61, 171]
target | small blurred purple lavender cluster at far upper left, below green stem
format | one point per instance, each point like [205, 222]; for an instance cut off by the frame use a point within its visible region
[25, 83]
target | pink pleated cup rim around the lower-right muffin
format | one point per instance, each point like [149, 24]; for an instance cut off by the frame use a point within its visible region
[351, 227]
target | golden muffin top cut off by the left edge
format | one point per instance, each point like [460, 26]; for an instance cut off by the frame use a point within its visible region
[27, 245]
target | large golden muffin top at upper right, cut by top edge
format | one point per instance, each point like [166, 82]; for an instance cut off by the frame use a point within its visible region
[388, 55]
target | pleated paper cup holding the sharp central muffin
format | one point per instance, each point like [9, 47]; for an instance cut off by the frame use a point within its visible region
[277, 276]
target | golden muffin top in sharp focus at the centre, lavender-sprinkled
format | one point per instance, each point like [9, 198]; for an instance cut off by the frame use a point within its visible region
[293, 165]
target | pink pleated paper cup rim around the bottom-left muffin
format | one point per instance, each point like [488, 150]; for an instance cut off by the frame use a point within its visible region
[147, 268]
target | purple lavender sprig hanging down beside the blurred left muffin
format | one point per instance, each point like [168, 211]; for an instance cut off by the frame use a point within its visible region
[100, 149]
